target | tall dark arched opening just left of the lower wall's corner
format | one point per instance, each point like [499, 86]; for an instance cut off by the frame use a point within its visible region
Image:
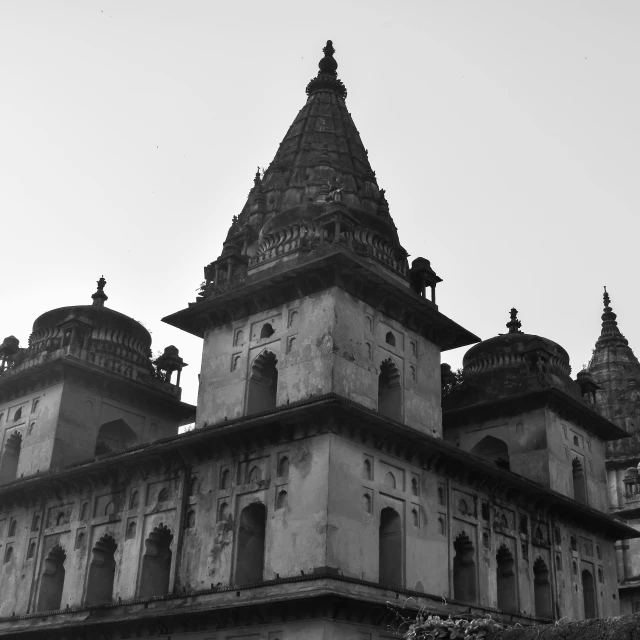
[250, 549]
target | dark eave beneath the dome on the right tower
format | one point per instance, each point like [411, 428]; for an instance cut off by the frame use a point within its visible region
[550, 397]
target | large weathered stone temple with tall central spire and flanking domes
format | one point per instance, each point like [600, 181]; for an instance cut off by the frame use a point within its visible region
[337, 473]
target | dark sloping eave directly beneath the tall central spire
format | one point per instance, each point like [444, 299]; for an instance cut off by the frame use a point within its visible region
[332, 265]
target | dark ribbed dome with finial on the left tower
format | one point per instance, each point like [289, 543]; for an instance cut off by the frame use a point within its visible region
[106, 325]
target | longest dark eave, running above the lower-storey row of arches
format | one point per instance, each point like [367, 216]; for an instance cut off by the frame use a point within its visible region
[328, 413]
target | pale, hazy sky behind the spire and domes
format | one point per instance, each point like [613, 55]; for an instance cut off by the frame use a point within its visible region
[504, 133]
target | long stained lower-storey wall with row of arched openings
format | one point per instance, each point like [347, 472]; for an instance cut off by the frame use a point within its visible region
[323, 520]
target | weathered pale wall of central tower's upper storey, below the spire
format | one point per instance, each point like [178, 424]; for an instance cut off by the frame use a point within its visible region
[326, 342]
